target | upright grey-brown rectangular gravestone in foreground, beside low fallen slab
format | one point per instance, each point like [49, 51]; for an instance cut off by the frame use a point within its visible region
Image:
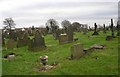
[77, 51]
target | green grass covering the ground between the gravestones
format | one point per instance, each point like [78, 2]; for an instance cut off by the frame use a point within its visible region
[26, 61]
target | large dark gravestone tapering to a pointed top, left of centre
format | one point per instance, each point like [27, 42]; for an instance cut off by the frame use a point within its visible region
[37, 43]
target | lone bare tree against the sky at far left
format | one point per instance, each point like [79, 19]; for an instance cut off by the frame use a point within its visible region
[9, 22]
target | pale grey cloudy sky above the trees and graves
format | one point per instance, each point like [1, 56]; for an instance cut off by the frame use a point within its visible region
[26, 13]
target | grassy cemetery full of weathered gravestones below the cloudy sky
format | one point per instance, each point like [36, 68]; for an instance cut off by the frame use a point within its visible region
[74, 49]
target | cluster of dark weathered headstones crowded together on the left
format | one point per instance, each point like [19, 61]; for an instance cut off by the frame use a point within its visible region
[24, 38]
